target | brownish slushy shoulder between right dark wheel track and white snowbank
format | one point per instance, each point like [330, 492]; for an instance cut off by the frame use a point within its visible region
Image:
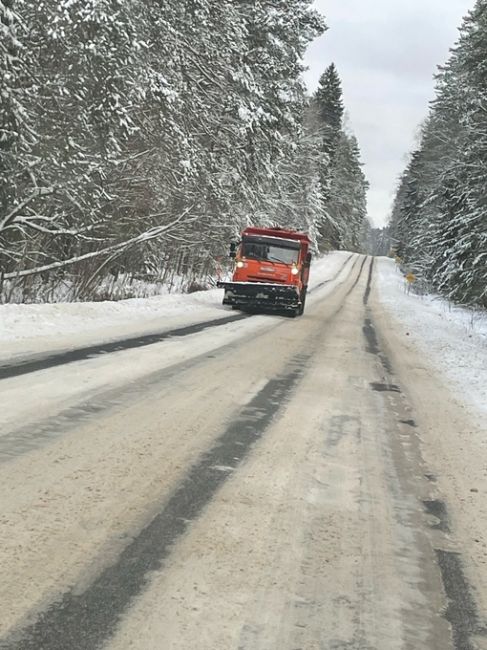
[453, 446]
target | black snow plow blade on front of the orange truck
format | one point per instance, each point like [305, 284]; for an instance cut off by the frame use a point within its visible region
[249, 295]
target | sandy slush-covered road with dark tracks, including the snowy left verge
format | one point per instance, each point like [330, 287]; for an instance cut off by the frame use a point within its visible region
[262, 483]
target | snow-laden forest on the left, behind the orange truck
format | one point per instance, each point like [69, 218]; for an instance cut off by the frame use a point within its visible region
[137, 138]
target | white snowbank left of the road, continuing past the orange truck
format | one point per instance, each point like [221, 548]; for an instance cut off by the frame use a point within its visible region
[27, 328]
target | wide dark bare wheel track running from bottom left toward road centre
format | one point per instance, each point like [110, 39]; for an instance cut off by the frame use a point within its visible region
[85, 621]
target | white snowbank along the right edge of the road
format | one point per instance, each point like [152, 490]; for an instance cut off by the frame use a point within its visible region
[452, 338]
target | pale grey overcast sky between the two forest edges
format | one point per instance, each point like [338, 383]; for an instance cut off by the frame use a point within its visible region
[386, 52]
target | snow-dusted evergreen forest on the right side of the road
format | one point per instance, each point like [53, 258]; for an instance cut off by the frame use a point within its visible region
[439, 220]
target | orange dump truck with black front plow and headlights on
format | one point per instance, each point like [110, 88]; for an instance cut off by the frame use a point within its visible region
[271, 271]
